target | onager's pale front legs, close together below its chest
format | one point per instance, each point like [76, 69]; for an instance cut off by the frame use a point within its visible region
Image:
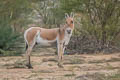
[60, 54]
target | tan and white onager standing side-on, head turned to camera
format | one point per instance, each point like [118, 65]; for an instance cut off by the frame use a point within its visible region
[42, 36]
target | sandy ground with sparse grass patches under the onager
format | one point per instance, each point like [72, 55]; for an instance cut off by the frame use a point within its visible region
[76, 67]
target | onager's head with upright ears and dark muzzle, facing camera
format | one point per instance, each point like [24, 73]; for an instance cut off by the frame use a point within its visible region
[69, 23]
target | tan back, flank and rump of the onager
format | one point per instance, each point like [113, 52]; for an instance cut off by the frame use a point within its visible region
[45, 34]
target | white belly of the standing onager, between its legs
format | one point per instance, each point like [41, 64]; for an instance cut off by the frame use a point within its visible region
[44, 42]
